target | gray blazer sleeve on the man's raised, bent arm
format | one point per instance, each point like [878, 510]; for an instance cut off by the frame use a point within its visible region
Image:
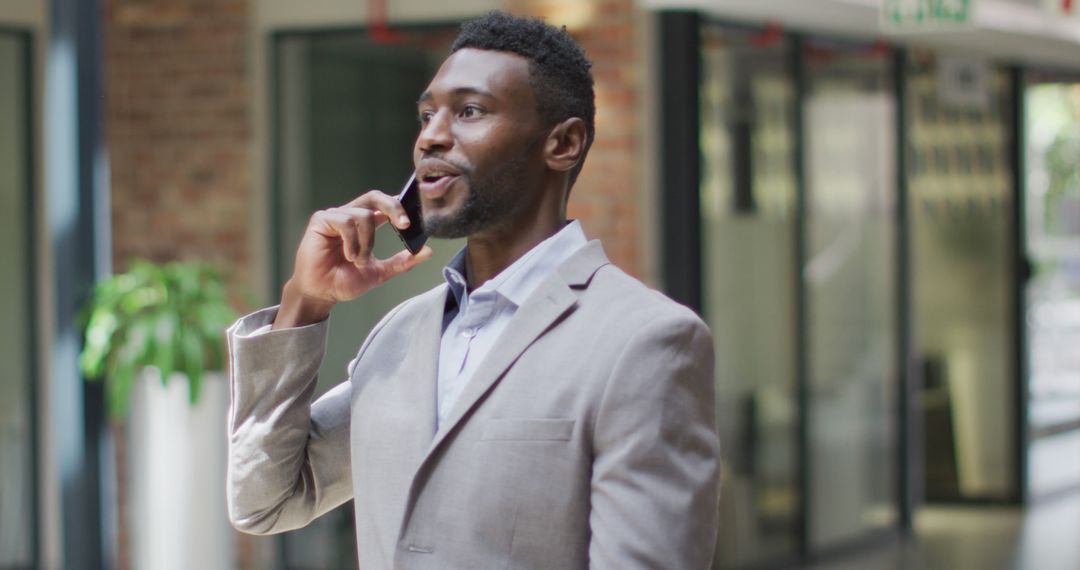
[289, 457]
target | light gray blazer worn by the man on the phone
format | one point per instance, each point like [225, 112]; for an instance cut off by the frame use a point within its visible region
[586, 440]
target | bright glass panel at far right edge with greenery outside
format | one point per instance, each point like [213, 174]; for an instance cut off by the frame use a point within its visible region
[1054, 292]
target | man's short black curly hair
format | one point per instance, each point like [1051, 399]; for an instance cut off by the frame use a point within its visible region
[560, 73]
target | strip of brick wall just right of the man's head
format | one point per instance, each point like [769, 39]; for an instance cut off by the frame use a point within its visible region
[605, 197]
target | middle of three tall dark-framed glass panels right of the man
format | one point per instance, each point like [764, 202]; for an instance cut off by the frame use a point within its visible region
[850, 280]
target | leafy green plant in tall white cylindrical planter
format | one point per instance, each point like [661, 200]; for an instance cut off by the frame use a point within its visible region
[156, 335]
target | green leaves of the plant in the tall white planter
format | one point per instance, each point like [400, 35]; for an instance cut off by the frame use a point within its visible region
[171, 317]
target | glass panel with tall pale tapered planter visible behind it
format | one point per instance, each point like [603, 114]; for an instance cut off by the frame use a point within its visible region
[961, 175]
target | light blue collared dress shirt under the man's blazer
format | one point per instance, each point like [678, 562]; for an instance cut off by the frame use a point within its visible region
[479, 318]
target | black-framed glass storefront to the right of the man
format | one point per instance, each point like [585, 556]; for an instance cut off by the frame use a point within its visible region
[862, 247]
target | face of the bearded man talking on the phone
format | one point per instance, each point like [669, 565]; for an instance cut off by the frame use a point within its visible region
[479, 155]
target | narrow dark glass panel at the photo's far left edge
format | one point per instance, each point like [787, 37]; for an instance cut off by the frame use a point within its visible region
[17, 438]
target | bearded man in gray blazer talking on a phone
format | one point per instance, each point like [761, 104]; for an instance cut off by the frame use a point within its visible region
[542, 410]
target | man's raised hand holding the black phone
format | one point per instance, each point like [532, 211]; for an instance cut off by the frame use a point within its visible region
[335, 263]
